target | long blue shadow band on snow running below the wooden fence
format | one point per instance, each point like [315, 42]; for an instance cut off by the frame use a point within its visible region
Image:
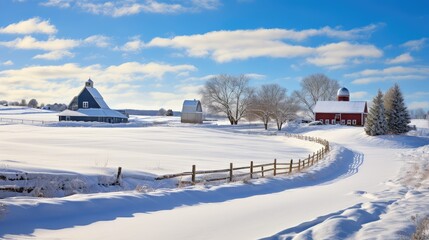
[79, 210]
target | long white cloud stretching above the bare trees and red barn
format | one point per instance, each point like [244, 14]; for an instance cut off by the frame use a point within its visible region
[225, 46]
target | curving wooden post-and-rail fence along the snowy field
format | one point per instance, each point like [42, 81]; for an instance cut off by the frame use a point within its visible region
[254, 170]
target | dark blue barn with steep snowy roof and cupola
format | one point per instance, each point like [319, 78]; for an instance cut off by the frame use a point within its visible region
[89, 106]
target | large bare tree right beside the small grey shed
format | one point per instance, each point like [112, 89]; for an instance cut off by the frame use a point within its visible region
[227, 94]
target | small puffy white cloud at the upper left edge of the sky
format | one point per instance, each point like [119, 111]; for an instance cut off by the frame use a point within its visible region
[30, 26]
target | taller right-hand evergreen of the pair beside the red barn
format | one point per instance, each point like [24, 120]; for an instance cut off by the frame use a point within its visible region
[397, 115]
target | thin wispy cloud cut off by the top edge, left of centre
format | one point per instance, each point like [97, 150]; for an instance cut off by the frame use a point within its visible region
[132, 7]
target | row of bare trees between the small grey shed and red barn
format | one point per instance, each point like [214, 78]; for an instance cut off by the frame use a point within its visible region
[236, 99]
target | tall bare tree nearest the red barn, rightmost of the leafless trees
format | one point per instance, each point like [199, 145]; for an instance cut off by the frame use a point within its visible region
[316, 87]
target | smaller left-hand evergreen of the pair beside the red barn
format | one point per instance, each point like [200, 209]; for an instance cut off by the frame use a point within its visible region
[376, 122]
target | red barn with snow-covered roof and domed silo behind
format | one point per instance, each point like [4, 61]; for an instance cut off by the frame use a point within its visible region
[343, 111]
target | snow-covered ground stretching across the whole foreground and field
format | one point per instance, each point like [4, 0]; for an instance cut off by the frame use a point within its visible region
[366, 188]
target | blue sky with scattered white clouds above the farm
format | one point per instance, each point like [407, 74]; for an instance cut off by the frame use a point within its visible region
[148, 54]
